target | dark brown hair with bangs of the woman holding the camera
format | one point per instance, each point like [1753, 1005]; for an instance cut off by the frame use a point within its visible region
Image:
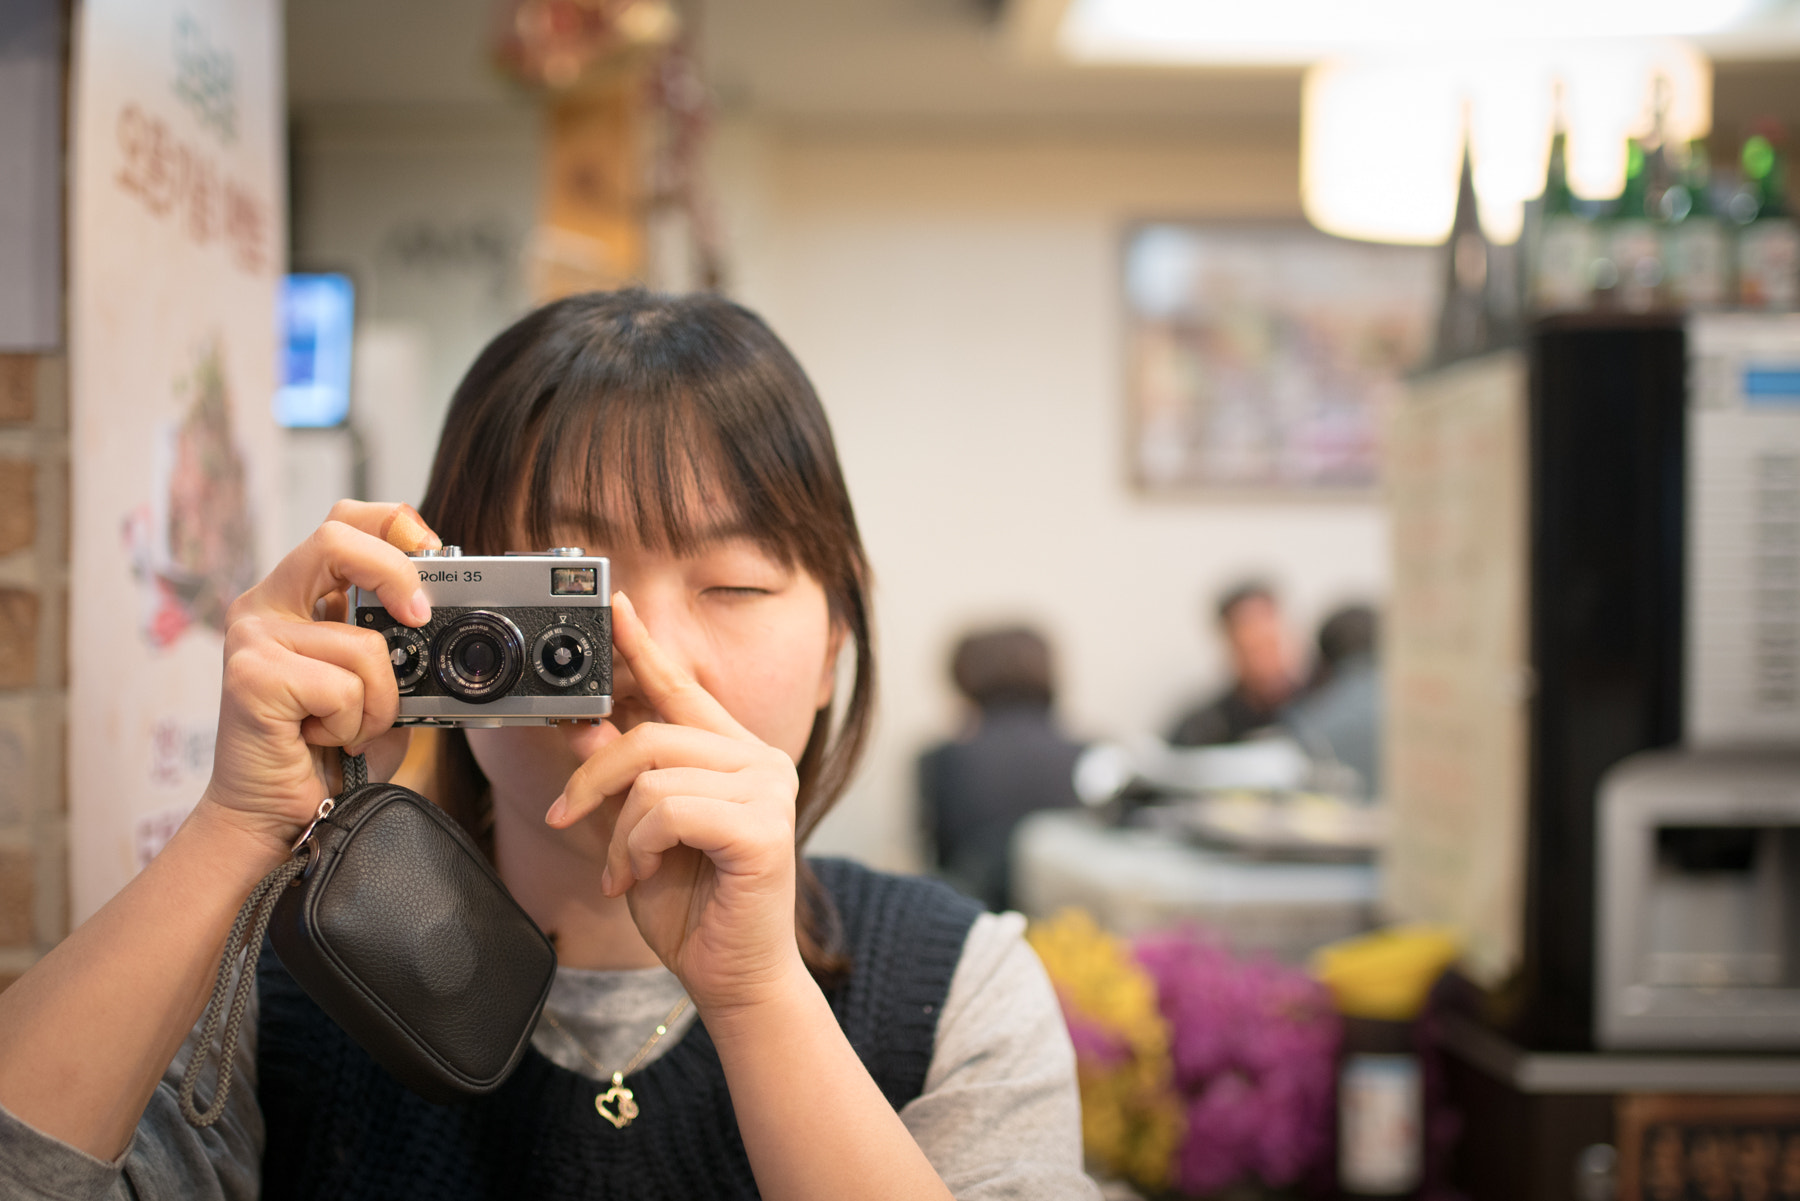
[647, 415]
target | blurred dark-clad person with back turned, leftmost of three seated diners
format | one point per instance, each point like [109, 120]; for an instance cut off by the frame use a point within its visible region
[1011, 761]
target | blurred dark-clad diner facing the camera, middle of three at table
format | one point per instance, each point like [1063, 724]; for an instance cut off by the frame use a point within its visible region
[1263, 673]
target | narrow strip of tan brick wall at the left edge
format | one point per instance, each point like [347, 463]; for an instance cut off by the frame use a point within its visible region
[33, 692]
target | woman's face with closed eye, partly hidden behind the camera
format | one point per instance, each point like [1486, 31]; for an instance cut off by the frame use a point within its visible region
[753, 631]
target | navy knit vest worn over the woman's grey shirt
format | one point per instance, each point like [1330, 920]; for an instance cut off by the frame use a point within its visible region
[341, 1128]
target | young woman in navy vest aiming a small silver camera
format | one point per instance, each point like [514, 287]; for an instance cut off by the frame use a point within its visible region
[829, 1033]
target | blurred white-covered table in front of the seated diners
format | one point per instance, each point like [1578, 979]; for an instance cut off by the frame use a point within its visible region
[1138, 880]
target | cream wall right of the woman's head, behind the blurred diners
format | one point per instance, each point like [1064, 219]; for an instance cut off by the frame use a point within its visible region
[957, 302]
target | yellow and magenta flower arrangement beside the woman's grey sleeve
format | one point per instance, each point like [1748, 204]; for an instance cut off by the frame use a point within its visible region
[1198, 1069]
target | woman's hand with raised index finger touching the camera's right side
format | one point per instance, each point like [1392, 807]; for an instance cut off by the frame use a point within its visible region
[703, 840]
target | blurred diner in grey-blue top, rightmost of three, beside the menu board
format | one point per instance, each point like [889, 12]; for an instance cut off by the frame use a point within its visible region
[1338, 718]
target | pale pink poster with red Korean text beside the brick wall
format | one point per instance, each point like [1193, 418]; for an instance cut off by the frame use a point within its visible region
[177, 249]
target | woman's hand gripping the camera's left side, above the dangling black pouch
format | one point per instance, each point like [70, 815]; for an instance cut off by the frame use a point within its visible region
[301, 683]
